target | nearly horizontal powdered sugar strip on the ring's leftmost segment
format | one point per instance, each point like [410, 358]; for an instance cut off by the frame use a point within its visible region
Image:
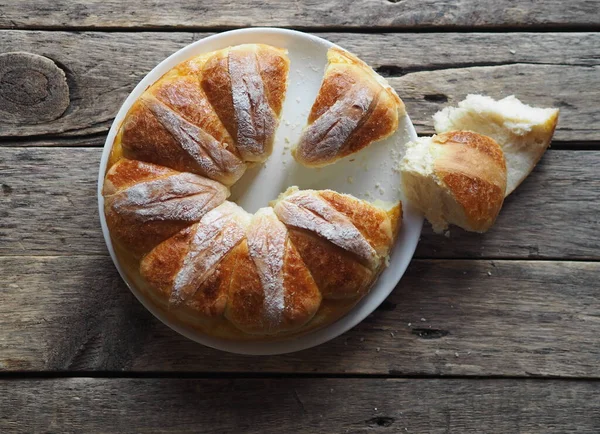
[181, 197]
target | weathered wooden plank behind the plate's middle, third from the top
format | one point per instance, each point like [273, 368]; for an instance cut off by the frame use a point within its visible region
[48, 207]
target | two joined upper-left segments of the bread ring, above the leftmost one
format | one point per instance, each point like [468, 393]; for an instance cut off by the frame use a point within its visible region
[212, 114]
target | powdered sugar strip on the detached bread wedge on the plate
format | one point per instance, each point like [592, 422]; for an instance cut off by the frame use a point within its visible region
[324, 139]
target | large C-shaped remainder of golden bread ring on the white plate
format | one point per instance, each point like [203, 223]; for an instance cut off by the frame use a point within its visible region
[204, 261]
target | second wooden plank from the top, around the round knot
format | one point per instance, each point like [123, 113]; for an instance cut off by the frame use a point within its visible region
[429, 71]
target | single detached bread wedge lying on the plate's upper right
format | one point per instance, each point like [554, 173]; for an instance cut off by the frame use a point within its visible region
[354, 107]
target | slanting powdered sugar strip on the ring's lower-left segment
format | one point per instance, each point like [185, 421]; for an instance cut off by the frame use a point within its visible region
[217, 233]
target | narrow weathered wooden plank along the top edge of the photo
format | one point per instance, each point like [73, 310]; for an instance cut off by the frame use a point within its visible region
[394, 14]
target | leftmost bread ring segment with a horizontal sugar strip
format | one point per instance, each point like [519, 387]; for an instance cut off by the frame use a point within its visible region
[145, 204]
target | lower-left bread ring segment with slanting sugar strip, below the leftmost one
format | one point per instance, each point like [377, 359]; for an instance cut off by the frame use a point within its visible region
[192, 269]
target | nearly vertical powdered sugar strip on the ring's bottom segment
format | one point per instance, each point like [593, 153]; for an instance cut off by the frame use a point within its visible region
[267, 238]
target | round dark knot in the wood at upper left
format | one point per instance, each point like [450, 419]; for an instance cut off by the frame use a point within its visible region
[33, 89]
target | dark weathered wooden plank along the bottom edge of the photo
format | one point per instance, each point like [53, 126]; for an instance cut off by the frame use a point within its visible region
[299, 405]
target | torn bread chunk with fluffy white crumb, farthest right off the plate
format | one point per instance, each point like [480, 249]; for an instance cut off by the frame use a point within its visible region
[523, 132]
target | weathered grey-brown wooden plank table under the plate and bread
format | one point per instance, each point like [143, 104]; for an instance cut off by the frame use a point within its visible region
[485, 333]
